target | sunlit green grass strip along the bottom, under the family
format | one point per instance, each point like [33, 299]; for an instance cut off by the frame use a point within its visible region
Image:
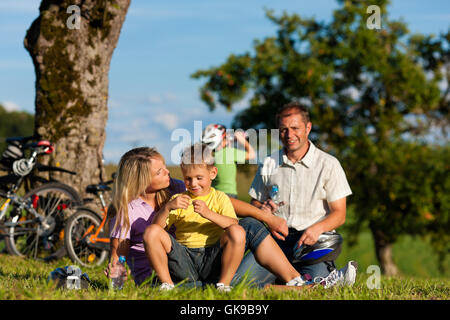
[27, 279]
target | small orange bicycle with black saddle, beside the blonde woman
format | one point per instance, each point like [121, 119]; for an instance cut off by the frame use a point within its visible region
[86, 242]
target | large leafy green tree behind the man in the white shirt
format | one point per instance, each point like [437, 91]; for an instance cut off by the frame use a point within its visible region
[370, 93]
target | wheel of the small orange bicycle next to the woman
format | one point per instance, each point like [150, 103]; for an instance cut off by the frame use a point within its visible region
[78, 229]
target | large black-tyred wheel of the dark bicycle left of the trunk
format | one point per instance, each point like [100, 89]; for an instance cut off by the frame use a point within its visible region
[29, 237]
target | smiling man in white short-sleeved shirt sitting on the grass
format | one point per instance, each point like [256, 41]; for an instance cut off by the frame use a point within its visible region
[313, 186]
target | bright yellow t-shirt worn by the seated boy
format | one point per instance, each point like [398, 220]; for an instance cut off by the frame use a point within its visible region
[194, 231]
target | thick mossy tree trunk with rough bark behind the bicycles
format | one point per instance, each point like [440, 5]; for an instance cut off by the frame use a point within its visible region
[72, 68]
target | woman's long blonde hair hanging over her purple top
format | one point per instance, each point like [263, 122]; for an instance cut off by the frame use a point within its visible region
[133, 178]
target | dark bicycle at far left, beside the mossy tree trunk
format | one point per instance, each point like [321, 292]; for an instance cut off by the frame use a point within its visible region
[35, 222]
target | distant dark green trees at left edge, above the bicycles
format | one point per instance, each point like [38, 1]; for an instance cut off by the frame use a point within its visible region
[14, 123]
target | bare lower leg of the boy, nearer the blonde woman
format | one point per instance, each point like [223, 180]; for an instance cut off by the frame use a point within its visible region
[157, 245]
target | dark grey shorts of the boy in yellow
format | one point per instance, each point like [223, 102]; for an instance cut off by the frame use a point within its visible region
[194, 264]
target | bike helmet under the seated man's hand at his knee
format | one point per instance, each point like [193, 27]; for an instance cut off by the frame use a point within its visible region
[327, 248]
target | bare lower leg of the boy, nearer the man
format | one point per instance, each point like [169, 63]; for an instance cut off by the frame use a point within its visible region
[233, 246]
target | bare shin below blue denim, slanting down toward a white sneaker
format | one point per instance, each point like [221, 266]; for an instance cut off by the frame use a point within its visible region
[270, 256]
